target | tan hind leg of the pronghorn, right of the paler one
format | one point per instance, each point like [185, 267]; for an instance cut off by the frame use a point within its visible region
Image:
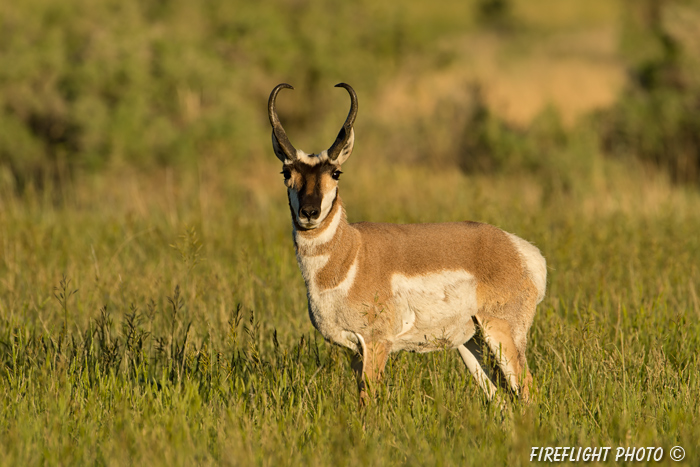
[498, 335]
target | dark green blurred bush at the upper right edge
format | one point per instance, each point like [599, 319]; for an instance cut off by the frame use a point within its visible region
[657, 119]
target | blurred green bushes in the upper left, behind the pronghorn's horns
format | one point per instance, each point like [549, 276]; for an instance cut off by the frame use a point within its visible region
[87, 84]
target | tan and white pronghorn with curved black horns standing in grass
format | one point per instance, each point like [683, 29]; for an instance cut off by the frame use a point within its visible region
[379, 288]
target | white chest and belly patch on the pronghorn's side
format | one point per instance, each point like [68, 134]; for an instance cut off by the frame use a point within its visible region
[426, 312]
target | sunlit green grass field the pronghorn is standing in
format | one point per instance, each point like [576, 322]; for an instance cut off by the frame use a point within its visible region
[187, 338]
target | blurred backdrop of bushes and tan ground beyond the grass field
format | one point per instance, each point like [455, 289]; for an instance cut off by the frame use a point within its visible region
[540, 87]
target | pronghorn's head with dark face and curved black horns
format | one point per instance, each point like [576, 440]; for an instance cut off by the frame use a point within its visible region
[311, 179]
